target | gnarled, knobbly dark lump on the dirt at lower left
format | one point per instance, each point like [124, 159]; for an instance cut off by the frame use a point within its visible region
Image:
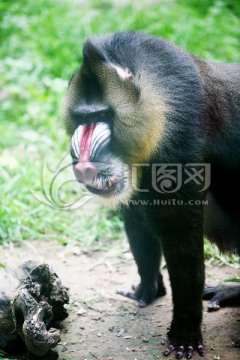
[32, 297]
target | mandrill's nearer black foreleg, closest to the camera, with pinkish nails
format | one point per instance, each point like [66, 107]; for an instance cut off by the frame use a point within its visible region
[183, 251]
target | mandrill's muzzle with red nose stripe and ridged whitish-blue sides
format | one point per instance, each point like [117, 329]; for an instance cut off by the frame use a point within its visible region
[93, 163]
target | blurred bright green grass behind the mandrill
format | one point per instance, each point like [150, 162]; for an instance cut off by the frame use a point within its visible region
[40, 47]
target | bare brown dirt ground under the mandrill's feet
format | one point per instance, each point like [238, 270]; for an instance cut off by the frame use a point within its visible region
[103, 325]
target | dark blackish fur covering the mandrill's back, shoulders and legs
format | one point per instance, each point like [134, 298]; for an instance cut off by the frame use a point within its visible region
[201, 126]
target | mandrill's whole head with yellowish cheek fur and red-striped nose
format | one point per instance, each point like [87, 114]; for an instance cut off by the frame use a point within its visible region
[112, 114]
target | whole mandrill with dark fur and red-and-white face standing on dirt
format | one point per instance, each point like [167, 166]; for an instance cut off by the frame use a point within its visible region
[156, 133]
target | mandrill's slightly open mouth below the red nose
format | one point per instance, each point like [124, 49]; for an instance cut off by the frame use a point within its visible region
[102, 186]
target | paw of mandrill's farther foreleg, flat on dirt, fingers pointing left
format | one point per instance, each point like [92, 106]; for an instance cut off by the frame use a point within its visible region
[145, 294]
